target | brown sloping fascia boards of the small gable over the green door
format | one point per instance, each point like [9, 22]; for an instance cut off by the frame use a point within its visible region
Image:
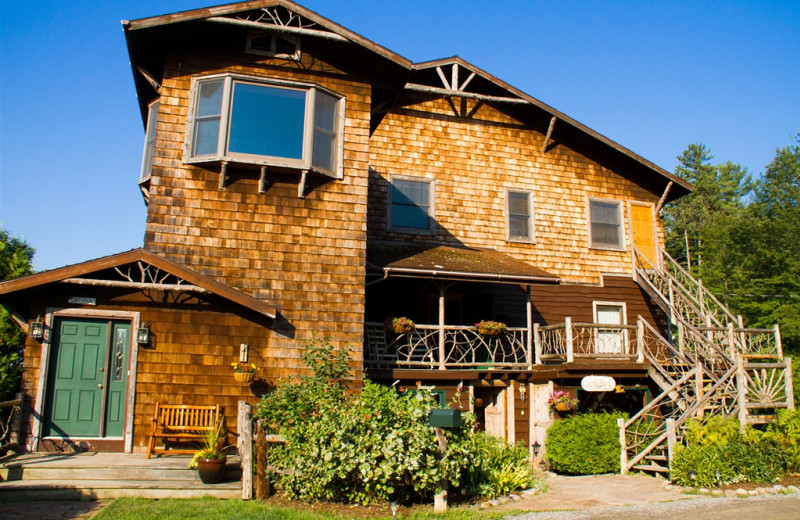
[75, 271]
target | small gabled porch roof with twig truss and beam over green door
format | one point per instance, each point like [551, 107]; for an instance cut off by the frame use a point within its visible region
[172, 277]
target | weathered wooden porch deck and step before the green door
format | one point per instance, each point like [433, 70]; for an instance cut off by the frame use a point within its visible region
[88, 476]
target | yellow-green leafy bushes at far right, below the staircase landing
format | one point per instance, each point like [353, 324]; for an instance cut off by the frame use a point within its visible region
[720, 446]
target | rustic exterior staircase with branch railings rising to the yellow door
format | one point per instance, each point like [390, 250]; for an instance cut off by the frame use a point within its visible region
[711, 366]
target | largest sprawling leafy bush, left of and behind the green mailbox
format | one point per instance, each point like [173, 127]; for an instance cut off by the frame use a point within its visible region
[366, 447]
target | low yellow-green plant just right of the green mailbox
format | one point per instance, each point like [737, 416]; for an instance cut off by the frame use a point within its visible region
[498, 467]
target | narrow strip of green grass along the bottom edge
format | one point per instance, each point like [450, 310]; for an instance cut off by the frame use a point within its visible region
[211, 509]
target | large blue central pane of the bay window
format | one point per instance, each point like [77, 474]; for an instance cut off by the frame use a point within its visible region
[267, 121]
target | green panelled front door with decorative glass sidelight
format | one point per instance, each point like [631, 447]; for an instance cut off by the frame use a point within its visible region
[87, 378]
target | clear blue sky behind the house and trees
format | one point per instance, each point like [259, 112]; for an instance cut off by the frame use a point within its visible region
[654, 76]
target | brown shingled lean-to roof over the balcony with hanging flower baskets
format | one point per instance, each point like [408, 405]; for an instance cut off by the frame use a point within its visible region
[451, 263]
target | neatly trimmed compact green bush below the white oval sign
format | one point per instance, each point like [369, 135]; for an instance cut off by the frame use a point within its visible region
[584, 444]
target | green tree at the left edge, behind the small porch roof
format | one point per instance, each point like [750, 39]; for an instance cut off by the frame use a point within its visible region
[16, 256]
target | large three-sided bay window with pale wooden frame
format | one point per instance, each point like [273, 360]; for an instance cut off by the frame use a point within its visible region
[248, 120]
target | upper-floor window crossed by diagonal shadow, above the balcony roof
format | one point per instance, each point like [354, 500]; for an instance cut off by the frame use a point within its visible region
[410, 204]
